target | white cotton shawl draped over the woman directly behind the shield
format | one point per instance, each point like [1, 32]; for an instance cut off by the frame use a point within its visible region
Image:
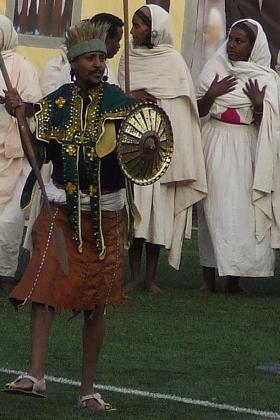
[162, 72]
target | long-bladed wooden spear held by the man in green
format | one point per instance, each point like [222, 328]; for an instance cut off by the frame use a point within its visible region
[27, 139]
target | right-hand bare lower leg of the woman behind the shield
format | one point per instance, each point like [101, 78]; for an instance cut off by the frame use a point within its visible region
[152, 256]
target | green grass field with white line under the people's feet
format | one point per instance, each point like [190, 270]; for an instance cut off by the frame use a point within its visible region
[179, 343]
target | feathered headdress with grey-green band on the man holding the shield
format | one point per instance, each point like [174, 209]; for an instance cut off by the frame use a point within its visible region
[86, 37]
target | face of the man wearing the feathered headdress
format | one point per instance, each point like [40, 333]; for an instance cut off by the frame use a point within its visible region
[89, 68]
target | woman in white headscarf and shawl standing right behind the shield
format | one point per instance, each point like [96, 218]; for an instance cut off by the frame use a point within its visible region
[158, 73]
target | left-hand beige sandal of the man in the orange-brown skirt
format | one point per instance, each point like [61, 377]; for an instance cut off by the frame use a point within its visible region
[37, 387]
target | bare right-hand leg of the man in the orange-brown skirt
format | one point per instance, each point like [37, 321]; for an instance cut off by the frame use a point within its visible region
[93, 335]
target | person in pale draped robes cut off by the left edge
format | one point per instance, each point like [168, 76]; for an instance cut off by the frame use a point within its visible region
[14, 168]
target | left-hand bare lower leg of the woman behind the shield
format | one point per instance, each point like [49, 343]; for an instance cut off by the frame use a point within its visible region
[135, 255]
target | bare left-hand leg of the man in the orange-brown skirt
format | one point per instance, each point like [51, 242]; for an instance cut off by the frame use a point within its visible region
[41, 322]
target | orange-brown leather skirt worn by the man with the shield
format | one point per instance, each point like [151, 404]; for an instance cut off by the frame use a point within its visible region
[90, 281]
